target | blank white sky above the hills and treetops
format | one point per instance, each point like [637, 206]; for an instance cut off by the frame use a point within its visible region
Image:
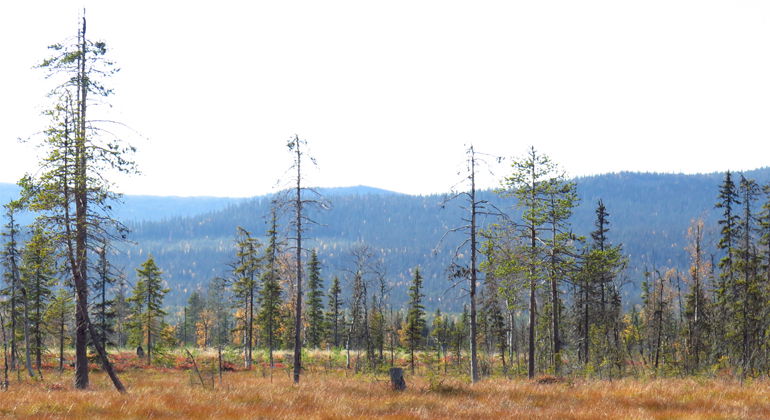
[388, 93]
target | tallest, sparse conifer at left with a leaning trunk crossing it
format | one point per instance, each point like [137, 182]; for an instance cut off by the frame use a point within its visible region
[71, 193]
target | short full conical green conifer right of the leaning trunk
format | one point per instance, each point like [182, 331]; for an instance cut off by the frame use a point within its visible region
[147, 303]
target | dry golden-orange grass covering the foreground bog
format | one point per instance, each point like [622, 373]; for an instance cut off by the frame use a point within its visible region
[171, 393]
